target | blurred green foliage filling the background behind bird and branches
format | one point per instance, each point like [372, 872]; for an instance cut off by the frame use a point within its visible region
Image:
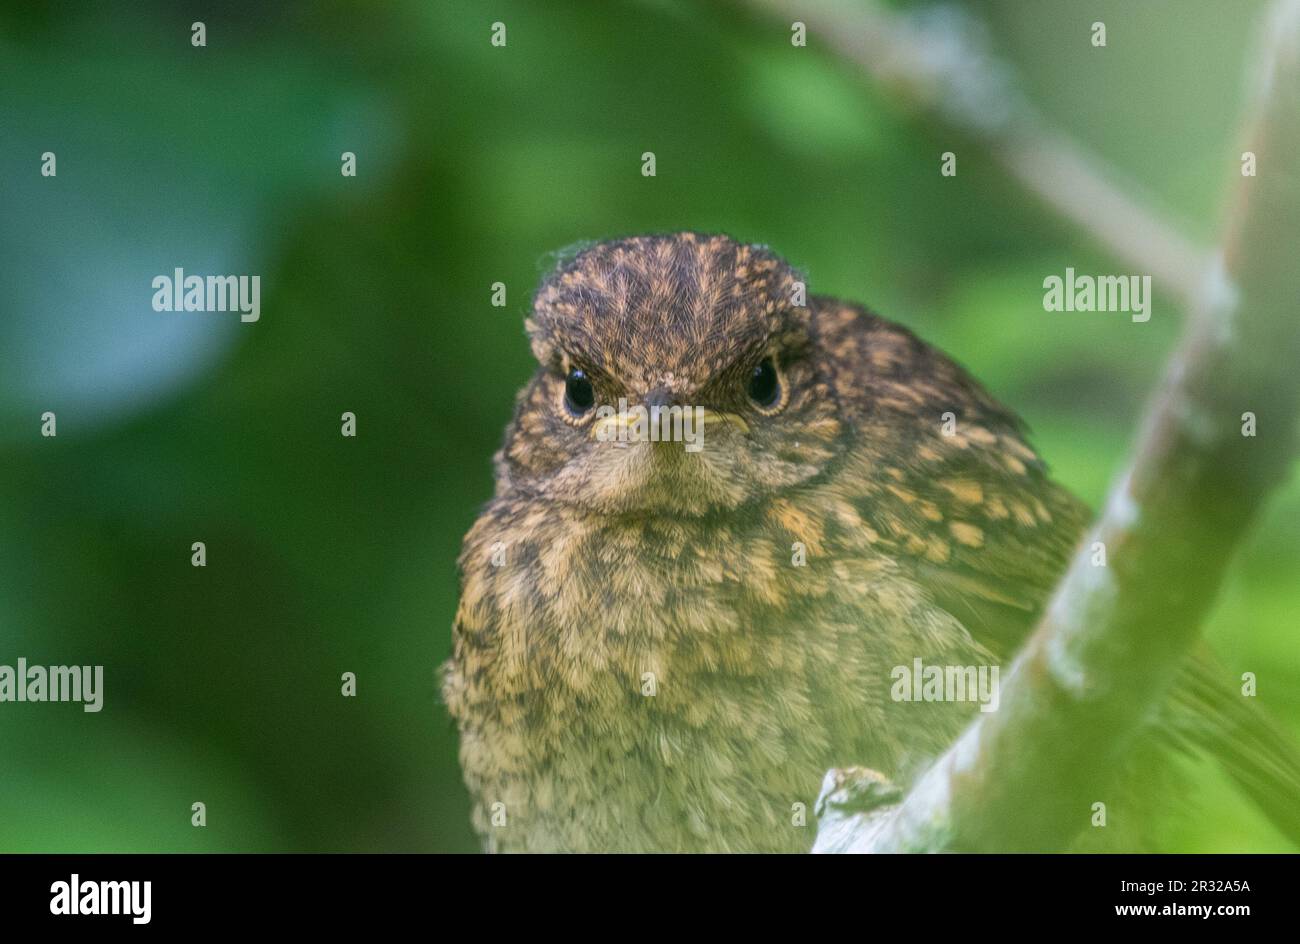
[474, 163]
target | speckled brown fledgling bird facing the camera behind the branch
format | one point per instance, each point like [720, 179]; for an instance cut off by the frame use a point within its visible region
[661, 649]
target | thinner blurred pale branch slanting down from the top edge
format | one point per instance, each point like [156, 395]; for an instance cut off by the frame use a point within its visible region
[937, 62]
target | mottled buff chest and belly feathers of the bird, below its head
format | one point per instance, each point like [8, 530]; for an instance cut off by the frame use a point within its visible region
[601, 662]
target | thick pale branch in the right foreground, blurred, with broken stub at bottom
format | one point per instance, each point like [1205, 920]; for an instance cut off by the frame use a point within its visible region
[1113, 638]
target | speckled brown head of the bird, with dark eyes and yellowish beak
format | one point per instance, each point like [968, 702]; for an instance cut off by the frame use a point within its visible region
[677, 378]
